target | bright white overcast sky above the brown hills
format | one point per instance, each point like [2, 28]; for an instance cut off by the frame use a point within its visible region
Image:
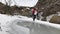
[26, 3]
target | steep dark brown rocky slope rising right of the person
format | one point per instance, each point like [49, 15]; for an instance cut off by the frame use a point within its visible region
[48, 7]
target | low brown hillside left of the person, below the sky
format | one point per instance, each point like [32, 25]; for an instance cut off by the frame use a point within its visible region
[4, 9]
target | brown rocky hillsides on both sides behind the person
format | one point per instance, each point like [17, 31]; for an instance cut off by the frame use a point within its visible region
[48, 7]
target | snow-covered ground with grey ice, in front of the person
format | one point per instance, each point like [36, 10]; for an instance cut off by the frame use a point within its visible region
[23, 25]
